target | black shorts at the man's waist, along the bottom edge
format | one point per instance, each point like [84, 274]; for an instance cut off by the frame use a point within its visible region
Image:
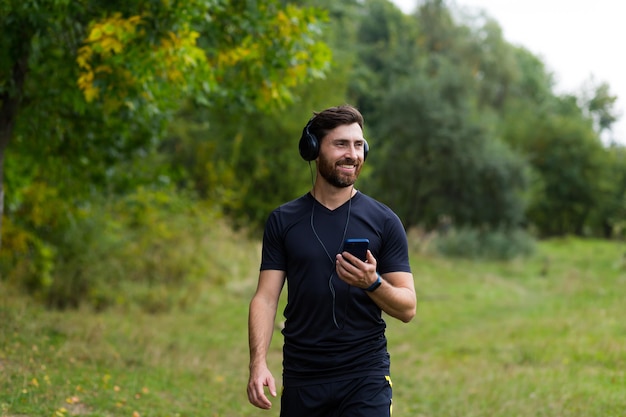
[360, 397]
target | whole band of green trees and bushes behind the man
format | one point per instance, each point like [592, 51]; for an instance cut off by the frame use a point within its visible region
[462, 125]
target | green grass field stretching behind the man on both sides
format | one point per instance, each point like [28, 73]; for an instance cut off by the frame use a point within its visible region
[544, 336]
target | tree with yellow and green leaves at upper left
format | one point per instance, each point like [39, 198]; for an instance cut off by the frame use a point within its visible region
[101, 78]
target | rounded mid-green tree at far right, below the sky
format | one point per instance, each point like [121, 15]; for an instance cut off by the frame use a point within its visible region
[570, 161]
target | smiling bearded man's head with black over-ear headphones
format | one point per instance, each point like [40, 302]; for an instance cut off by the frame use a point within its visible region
[334, 138]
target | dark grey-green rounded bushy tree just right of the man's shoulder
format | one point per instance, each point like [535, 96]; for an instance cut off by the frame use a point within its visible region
[450, 164]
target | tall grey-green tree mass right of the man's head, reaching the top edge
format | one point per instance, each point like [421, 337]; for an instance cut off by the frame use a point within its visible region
[428, 76]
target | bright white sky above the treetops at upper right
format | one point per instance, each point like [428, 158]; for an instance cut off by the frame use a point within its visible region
[578, 40]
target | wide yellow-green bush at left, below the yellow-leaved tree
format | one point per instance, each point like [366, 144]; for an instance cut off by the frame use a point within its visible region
[151, 248]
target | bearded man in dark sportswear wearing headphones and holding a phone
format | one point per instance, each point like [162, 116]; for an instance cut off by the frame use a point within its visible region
[335, 359]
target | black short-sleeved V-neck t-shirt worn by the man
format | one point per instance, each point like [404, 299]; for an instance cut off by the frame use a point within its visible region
[332, 330]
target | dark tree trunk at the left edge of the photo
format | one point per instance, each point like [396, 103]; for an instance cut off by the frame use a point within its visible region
[9, 106]
